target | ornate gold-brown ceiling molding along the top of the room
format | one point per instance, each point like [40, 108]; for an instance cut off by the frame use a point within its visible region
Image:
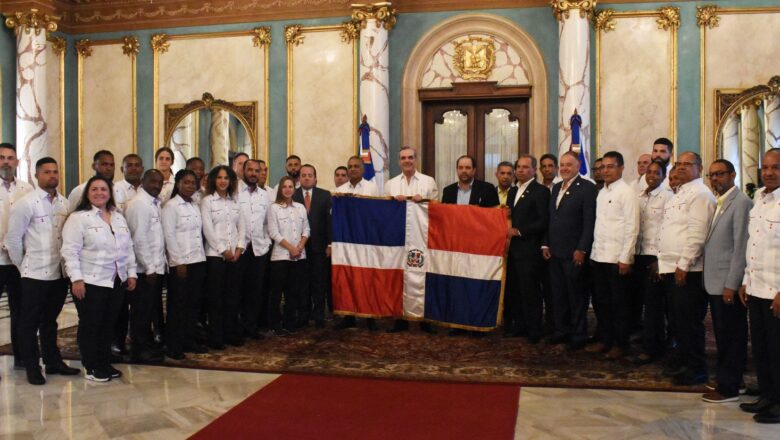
[89, 16]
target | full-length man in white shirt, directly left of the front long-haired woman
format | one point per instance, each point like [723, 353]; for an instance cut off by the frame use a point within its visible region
[33, 242]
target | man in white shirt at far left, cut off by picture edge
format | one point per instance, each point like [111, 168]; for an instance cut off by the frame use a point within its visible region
[11, 190]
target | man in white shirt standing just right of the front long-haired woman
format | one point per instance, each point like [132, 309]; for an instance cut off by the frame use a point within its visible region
[144, 218]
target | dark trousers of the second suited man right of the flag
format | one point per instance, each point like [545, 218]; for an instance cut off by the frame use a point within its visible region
[570, 299]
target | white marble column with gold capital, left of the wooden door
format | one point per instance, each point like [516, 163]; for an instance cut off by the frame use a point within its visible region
[375, 22]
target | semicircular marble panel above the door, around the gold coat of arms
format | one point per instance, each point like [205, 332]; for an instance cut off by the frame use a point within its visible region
[508, 68]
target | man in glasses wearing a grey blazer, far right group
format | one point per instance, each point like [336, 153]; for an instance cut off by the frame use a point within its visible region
[724, 266]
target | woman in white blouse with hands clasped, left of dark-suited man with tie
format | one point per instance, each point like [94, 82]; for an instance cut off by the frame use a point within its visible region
[288, 227]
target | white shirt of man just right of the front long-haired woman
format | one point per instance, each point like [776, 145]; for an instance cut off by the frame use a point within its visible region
[144, 217]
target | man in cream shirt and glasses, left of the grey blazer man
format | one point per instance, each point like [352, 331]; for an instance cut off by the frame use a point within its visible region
[681, 239]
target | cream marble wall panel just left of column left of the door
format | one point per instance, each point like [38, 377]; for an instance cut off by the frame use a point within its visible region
[321, 98]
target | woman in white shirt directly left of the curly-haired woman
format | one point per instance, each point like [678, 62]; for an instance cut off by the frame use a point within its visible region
[182, 227]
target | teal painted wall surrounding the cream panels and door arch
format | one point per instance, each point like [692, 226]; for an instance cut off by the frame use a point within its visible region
[537, 22]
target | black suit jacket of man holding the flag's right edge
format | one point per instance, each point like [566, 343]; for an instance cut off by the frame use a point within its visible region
[530, 216]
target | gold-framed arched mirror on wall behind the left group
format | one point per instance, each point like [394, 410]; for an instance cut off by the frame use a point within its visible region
[211, 129]
